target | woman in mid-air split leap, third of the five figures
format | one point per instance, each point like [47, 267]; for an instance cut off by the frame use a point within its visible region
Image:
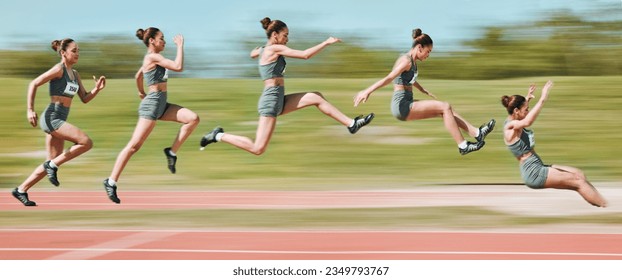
[273, 101]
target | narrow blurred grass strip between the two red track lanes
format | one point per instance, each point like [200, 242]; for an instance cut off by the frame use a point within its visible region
[454, 218]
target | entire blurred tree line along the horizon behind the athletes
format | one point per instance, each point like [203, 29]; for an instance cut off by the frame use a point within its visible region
[561, 44]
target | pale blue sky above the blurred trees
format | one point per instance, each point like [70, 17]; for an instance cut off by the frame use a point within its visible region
[215, 27]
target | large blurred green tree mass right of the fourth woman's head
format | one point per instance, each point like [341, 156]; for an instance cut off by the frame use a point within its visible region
[563, 44]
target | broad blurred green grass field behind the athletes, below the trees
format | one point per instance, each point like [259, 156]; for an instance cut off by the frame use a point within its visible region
[579, 127]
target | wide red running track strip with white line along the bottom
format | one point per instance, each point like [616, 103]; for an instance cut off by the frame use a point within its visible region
[28, 244]
